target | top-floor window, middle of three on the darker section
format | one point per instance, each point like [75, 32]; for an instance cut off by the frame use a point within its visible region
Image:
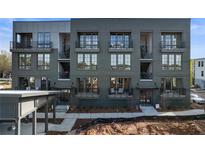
[120, 40]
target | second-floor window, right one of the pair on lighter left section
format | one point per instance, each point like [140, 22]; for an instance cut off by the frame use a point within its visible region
[43, 61]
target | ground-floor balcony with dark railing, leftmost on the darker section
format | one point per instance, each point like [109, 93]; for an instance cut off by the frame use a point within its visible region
[87, 93]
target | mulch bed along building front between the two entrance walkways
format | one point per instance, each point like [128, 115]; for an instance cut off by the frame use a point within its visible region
[100, 110]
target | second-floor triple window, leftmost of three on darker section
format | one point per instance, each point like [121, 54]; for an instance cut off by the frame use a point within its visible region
[87, 61]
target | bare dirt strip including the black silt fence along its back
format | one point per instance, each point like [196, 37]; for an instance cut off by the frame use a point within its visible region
[179, 125]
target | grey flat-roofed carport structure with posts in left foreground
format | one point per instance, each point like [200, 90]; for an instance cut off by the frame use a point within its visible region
[15, 105]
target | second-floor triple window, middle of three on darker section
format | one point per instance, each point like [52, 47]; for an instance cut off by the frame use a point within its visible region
[121, 61]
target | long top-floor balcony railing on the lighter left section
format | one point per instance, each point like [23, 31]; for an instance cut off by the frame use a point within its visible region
[30, 45]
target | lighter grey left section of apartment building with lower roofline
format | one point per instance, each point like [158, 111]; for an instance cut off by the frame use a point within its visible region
[40, 54]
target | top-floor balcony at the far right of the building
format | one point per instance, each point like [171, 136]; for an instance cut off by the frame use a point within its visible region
[168, 47]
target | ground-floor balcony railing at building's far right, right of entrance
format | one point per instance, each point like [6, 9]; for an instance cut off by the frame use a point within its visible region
[175, 92]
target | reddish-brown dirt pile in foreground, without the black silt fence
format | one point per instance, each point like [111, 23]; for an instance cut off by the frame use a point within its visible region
[147, 127]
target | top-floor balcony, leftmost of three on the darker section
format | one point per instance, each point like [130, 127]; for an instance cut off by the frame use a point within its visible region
[85, 47]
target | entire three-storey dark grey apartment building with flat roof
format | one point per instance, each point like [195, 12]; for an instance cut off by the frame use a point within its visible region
[111, 62]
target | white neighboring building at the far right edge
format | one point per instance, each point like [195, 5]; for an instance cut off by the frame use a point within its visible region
[199, 72]
